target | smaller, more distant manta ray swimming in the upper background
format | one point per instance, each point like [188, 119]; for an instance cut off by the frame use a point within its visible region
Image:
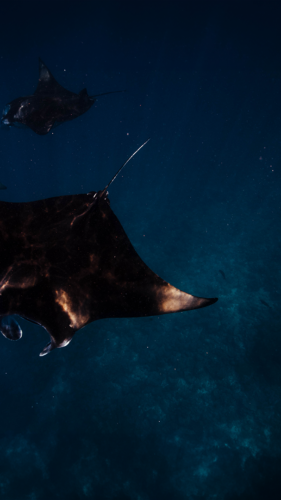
[49, 106]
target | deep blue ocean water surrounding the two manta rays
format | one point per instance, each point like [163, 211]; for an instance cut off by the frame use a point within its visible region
[178, 407]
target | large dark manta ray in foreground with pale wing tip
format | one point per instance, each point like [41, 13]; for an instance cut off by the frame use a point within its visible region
[67, 261]
